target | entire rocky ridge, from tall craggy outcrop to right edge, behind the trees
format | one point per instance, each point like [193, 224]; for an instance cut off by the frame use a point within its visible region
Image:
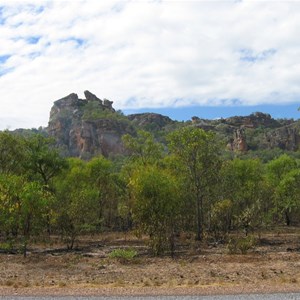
[91, 126]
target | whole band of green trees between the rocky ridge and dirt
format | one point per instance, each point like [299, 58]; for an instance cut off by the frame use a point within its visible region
[187, 185]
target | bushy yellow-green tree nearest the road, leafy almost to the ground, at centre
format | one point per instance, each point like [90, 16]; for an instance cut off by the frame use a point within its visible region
[156, 202]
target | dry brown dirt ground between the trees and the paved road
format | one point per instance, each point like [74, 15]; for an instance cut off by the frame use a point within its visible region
[272, 266]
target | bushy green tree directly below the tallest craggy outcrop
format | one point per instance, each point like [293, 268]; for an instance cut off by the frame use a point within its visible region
[77, 206]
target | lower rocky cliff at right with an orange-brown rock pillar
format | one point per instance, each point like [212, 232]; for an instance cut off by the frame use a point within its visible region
[254, 132]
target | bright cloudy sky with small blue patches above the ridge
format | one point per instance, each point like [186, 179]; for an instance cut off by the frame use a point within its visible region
[159, 55]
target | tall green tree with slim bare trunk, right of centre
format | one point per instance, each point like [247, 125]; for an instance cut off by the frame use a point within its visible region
[198, 152]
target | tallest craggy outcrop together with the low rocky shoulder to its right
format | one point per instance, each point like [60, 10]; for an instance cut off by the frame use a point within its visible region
[91, 126]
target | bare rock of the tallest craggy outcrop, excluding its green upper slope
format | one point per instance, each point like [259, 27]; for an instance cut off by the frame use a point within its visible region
[85, 138]
